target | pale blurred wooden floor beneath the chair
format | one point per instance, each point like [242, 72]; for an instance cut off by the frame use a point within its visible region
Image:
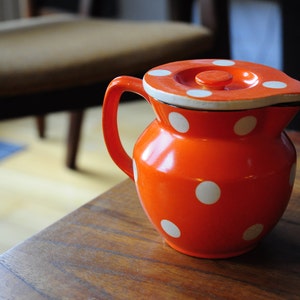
[36, 189]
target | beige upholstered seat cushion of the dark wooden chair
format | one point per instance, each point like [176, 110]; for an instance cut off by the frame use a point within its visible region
[56, 52]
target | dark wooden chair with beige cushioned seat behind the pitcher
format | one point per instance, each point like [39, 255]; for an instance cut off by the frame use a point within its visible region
[65, 61]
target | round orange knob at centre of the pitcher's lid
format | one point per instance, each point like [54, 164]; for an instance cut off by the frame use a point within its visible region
[214, 79]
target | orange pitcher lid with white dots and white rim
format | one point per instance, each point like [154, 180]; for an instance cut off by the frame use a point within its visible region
[218, 84]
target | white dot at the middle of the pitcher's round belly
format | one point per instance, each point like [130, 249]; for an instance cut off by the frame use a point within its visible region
[208, 192]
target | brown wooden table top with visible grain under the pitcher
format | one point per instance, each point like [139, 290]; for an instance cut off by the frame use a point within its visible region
[107, 249]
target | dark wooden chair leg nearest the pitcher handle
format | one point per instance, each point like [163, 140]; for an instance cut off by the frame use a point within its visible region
[76, 118]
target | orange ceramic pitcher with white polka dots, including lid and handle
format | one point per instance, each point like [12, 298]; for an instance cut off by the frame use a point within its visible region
[214, 171]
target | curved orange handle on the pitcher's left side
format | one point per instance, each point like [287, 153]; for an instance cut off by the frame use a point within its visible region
[111, 102]
